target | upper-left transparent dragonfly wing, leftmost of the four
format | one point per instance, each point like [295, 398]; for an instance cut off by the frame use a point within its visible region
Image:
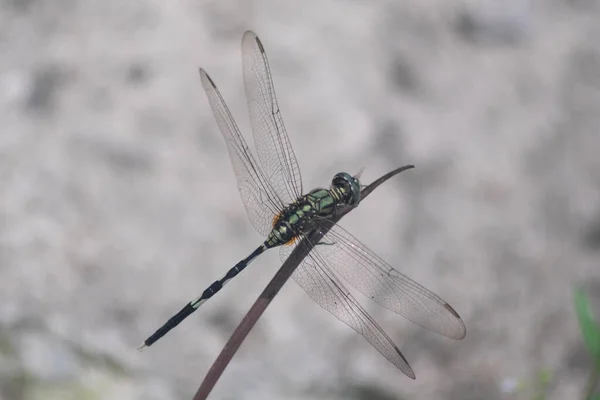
[261, 201]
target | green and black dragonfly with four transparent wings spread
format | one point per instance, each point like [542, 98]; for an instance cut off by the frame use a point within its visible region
[272, 193]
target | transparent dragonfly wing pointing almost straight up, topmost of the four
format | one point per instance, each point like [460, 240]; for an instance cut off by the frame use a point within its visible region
[272, 143]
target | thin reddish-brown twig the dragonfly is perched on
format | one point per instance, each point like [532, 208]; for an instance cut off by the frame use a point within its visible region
[272, 289]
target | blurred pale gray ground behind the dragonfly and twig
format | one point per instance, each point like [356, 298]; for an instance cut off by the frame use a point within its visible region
[118, 203]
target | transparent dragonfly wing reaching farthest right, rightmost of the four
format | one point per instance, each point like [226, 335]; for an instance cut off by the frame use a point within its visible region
[375, 278]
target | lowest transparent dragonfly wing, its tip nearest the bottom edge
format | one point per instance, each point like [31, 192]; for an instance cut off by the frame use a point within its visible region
[326, 290]
